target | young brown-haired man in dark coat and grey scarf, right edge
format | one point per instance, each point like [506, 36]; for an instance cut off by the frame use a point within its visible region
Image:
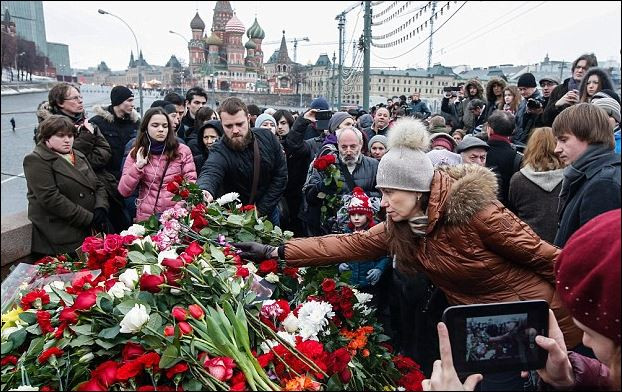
[591, 183]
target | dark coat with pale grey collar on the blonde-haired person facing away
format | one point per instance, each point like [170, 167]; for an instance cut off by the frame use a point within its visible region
[533, 196]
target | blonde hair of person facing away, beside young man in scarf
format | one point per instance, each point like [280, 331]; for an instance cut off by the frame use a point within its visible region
[540, 151]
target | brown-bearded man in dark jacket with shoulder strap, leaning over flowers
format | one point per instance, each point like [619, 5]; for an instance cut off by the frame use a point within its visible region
[233, 158]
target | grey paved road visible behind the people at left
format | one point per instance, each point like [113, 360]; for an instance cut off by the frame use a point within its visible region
[15, 145]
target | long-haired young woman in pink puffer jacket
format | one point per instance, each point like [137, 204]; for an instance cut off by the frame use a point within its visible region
[155, 159]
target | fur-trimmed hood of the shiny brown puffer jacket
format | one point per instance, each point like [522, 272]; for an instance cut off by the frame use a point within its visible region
[459, 192]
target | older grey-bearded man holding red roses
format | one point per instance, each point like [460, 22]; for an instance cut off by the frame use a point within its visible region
[356, 170]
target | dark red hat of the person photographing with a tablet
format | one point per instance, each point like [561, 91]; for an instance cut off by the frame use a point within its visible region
[588, 275]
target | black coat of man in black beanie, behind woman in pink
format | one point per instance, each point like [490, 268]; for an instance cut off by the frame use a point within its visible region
[117, 131]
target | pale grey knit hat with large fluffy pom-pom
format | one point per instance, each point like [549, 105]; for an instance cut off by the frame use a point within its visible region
[406, 166]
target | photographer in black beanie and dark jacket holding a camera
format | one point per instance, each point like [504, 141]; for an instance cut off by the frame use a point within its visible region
[529, 114]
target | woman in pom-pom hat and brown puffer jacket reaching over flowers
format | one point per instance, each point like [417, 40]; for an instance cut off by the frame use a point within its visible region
[445, 223]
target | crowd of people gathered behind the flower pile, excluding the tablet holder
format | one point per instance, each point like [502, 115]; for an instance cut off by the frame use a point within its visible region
[423, 210]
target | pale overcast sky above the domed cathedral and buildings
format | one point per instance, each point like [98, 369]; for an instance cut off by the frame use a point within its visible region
[481, 33]
